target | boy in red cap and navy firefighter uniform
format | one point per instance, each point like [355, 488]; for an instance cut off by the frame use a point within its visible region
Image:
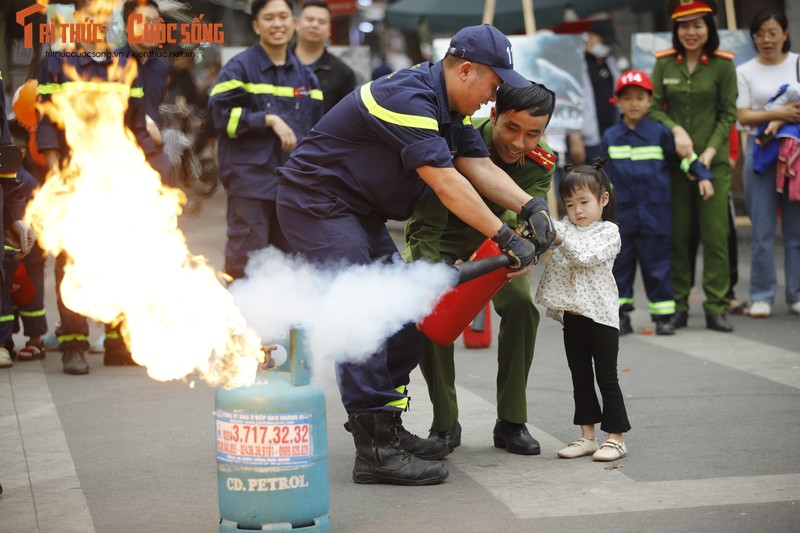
[639, 152]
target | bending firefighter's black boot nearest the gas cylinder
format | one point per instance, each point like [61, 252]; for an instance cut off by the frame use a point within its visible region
[381, 460]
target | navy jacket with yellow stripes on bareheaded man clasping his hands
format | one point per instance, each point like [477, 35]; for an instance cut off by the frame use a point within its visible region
[249, 87]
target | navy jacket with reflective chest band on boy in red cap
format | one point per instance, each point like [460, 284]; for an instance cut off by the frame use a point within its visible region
[638, 167]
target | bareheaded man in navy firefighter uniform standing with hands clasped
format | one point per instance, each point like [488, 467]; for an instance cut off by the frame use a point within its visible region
[264, 101]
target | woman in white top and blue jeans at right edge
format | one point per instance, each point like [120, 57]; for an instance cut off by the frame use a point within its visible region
[759, 80]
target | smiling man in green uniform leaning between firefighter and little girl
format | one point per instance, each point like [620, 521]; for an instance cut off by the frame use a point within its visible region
[513, 135]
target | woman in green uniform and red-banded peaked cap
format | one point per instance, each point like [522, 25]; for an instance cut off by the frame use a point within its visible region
[694, 89]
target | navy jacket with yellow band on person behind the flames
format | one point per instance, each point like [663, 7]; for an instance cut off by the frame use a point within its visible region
[53, 77]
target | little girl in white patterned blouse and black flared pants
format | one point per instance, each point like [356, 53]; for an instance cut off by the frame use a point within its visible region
[578, 289]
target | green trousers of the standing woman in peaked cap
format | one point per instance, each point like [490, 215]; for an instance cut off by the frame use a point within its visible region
[713, 224]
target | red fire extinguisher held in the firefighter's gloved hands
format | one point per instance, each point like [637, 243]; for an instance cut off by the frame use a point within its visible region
[458, 307]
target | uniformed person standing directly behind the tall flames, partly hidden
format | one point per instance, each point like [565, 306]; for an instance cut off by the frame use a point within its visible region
[92, 63]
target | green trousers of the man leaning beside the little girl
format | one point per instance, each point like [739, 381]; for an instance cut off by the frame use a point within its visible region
[519, 320]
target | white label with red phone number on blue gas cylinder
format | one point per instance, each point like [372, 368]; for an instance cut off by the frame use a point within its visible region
[261, 439]
